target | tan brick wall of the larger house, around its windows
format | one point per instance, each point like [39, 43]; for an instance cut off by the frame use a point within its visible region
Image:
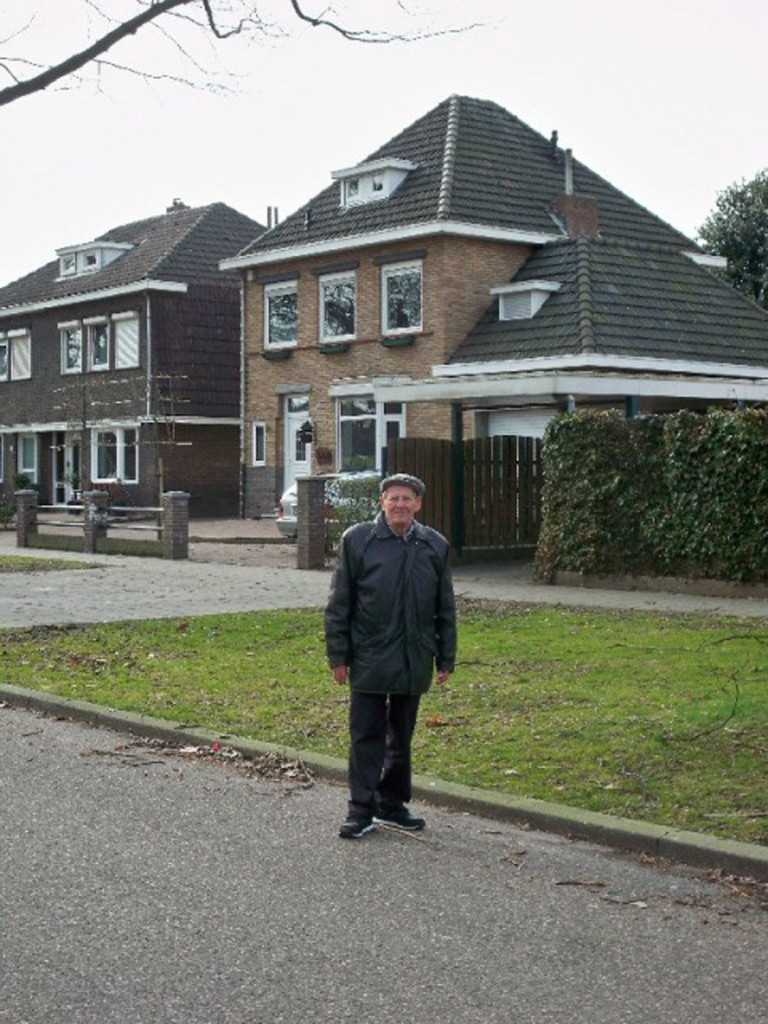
[457, 277]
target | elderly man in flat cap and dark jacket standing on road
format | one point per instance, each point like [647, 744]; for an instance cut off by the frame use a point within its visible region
[391, 624]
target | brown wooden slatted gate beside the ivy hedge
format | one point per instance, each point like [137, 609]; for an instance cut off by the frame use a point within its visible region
[482, 494]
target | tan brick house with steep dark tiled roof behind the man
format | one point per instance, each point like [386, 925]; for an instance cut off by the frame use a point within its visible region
[473, 266]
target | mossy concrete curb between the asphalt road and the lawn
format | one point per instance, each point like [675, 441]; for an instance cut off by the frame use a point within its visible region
[697, 849]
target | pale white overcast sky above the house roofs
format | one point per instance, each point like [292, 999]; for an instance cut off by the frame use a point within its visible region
[665, 99]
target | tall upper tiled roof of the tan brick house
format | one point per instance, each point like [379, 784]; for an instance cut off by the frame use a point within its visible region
[478, 164]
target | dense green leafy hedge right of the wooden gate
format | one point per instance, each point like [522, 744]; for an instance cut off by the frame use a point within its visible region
[679, 495]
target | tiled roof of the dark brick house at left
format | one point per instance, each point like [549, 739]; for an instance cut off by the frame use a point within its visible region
[184, 245]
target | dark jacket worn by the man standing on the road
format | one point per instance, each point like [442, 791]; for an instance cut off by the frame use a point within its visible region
[392, 615]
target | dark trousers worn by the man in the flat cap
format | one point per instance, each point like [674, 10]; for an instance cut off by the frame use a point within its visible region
[381, 728]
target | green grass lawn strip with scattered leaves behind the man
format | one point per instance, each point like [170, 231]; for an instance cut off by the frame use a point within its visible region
[663, 718]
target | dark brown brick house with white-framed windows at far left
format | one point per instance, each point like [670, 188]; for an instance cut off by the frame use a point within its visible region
[120, 365]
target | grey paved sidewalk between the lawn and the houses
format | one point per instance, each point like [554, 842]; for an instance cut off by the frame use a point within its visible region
[243, 566]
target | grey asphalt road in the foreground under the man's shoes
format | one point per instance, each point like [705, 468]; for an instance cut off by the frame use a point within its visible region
[140, 886]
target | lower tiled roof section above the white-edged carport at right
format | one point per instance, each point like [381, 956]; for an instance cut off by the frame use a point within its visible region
[627, 301]
